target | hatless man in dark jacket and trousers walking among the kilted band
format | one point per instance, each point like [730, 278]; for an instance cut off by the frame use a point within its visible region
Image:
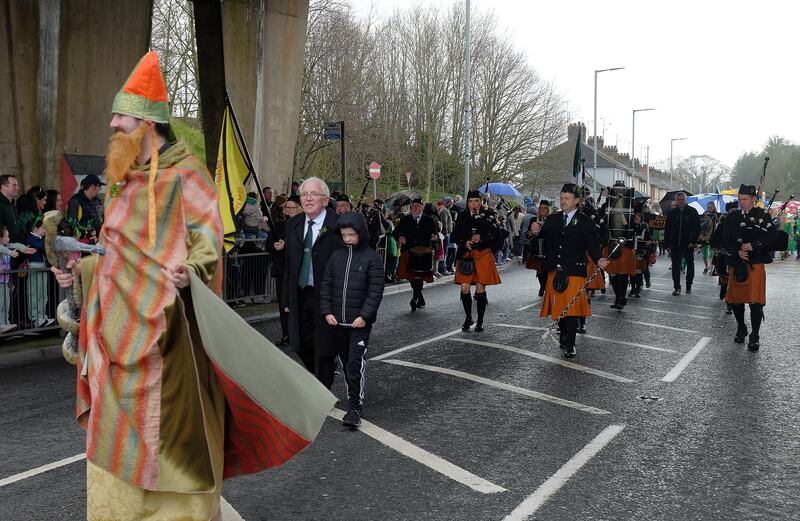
[680, 236]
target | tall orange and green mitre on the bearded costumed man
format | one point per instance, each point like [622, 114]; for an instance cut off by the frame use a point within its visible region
[144, 94]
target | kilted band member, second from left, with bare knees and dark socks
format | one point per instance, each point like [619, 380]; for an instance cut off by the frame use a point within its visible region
[476, 235]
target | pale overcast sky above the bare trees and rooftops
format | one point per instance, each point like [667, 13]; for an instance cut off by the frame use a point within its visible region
[726, 75]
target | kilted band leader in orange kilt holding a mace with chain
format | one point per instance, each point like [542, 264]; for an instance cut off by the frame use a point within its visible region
[569, 235]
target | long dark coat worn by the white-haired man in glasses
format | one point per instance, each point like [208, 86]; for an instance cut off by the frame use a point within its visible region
[321, 251]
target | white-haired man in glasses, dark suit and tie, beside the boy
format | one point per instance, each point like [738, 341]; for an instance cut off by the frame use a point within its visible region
[310, 241]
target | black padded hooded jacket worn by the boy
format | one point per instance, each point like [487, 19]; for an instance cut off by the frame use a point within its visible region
[352, 285]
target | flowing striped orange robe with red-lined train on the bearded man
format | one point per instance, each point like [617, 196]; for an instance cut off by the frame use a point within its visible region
[151, 393]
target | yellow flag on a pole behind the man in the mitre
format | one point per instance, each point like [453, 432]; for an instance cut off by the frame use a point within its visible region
[231, 174]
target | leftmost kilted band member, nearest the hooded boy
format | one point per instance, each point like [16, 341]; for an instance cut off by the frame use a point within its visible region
[415, 233]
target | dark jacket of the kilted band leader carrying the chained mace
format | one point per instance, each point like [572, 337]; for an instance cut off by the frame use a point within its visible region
[568, 247]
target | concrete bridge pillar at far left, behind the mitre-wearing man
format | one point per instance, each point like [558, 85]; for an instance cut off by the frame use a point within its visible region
[64, 62]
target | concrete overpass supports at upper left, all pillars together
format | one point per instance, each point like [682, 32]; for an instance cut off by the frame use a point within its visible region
[64, 61]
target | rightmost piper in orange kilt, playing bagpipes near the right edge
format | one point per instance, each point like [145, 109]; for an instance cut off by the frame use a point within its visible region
[747, 237]
